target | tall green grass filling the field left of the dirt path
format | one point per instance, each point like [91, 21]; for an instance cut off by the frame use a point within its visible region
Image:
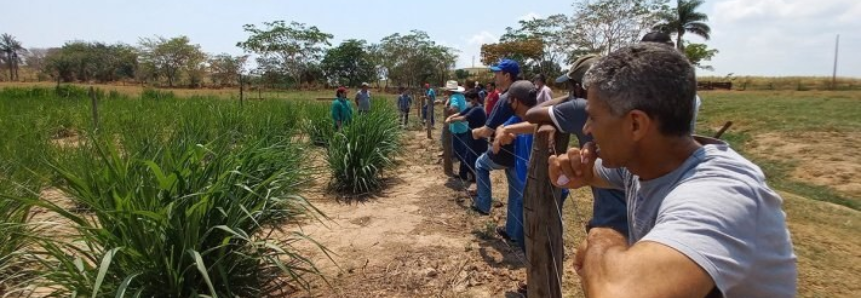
[177, 197]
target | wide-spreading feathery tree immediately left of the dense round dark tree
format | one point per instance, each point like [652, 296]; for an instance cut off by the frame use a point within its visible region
[286, 49]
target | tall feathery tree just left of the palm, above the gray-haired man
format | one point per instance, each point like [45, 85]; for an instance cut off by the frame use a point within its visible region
[603, 26]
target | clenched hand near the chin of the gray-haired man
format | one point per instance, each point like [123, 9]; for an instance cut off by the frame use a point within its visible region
[573, 169]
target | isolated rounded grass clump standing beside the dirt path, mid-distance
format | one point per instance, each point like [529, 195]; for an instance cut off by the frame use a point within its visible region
[360, 153]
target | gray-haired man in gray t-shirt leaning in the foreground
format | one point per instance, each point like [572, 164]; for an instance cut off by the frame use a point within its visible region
[702, 220]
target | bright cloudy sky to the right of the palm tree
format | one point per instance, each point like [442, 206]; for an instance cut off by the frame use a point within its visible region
[784, 37]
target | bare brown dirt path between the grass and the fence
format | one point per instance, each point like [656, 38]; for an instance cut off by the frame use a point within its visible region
[416, 239]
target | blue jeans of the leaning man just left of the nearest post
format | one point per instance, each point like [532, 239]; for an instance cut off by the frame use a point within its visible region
[514, 216]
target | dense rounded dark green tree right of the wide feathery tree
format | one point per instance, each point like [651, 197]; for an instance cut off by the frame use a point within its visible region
[349, 64]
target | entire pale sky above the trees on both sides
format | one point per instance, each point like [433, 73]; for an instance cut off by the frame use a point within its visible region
[754, 37]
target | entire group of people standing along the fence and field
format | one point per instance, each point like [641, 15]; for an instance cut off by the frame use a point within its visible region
[674, 215]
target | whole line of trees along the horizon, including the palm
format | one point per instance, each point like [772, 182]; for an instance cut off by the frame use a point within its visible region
[292, 54]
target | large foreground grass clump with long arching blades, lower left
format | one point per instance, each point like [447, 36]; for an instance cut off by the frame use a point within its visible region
[187, 221]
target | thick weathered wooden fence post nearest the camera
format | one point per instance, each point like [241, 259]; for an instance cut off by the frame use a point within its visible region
[542, 205]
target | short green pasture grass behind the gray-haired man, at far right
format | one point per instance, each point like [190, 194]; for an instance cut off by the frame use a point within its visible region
[756, 113]
